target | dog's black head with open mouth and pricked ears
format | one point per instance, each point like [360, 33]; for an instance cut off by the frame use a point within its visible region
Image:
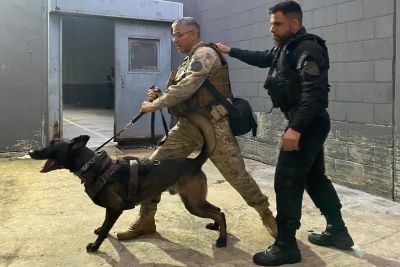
[60, 153]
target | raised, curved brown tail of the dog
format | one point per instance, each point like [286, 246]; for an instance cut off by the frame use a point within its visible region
[207, 130]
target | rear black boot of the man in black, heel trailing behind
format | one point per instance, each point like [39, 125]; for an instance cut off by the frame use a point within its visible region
[332, 237]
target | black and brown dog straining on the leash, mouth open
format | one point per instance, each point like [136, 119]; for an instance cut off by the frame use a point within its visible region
[183, 176]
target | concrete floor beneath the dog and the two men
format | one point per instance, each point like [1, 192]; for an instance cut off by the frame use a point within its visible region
[47, 220]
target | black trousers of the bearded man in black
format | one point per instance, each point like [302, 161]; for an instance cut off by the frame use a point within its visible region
[304, 169]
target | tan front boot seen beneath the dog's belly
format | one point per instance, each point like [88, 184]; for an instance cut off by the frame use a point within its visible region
[145, 223]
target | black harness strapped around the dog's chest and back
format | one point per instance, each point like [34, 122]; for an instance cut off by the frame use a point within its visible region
[100, 170]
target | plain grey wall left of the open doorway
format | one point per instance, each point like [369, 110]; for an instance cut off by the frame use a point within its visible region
[23, 74]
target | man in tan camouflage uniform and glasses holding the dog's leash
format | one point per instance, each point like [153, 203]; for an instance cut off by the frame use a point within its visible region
[186, 94]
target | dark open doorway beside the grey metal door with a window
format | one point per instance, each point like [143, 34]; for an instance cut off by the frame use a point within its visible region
[88, 78]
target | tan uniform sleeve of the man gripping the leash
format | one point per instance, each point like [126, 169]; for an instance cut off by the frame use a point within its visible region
[197, 69]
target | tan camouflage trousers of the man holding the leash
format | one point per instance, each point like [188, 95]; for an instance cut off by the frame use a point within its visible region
[185, 138]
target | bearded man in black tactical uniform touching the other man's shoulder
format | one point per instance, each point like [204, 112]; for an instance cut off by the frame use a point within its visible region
[298, 84]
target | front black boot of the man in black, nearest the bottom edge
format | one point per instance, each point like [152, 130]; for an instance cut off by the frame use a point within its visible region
[279, 253]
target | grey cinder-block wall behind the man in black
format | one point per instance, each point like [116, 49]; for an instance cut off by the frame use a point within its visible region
[360, 38]
